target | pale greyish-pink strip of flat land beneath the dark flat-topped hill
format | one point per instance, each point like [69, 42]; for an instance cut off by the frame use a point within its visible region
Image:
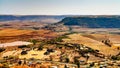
[95, 30]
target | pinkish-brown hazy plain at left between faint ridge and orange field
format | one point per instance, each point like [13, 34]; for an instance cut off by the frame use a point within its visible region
[22, 24]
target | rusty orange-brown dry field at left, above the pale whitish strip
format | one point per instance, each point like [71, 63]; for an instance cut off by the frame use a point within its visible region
[9, 35]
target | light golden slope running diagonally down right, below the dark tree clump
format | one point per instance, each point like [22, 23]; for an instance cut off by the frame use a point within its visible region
[77, 38]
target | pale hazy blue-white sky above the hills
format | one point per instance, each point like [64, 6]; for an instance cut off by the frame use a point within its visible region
[60, 7]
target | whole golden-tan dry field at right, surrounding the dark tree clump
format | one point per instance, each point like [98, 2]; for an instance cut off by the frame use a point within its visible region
[94, 41]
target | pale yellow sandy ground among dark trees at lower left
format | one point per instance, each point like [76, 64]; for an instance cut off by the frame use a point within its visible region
[31, 54]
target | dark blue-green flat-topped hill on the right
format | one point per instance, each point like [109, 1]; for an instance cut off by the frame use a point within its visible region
[93, 21]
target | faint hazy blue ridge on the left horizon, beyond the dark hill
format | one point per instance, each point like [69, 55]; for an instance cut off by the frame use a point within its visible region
[35, 18]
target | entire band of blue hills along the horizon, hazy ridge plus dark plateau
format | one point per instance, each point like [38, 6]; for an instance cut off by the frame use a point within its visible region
[90, 21]
